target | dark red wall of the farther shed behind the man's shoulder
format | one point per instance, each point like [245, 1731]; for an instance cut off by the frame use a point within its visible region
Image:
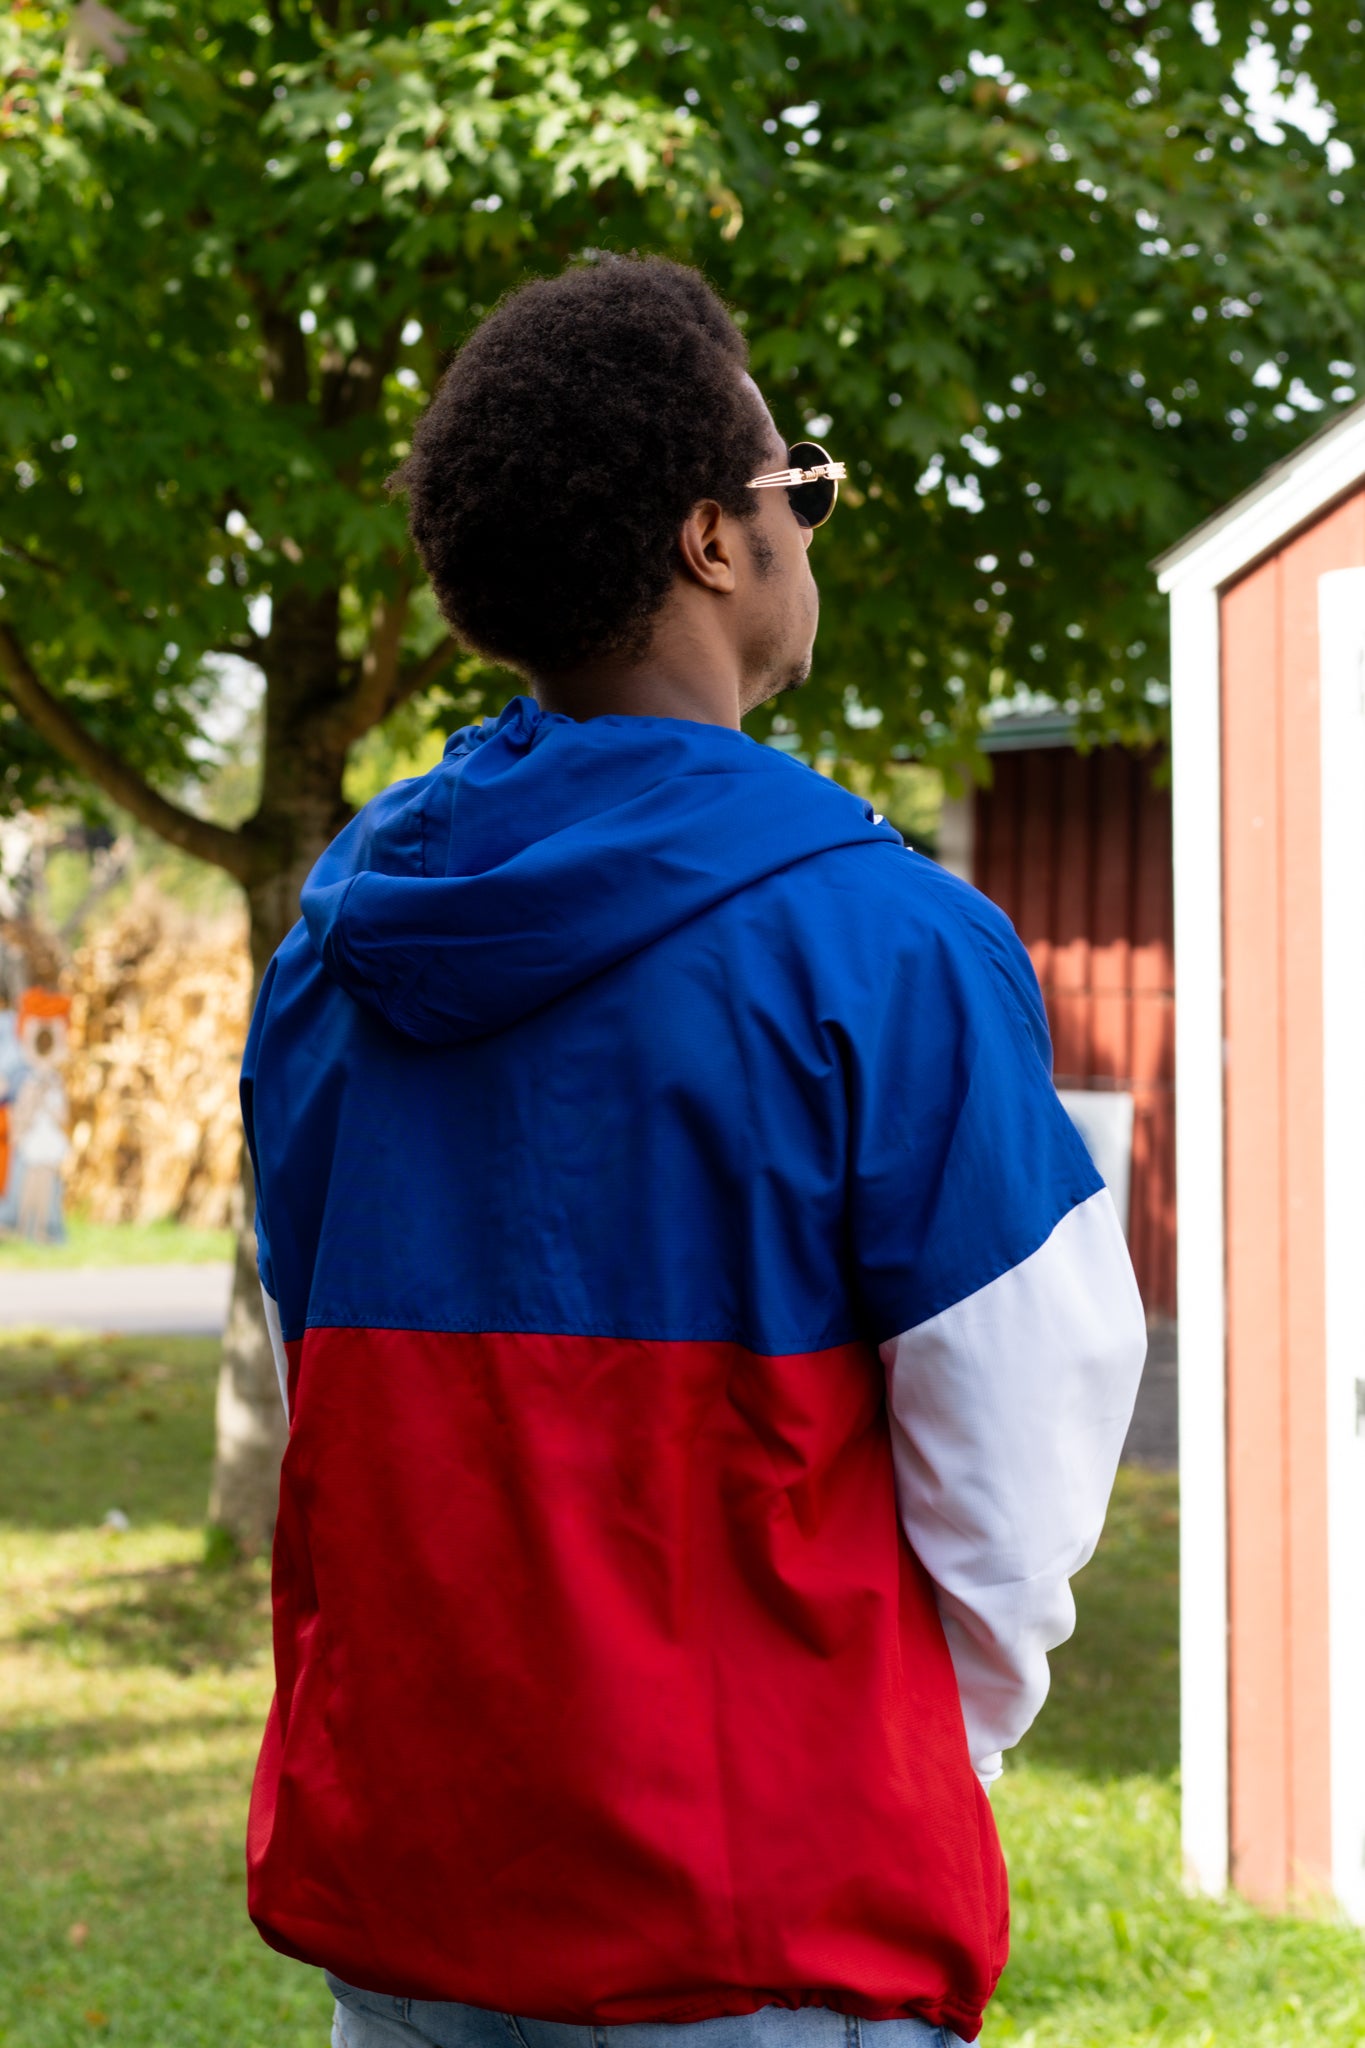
[1077, 853]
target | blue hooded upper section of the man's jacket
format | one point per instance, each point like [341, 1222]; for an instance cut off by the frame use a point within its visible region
[642, 1029]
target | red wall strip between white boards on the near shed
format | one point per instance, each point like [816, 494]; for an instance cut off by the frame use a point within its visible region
[1278, 1539]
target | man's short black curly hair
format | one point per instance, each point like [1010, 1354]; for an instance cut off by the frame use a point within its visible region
[566, 445]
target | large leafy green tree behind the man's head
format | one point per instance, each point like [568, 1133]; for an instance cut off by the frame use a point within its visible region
[1034, 265]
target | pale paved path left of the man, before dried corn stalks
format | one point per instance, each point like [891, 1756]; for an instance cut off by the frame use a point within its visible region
[132, 1299]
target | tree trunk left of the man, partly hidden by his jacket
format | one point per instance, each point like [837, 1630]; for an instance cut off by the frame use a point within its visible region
[302, 812]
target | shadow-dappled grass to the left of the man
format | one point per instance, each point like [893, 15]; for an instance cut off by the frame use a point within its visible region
[134, 1691]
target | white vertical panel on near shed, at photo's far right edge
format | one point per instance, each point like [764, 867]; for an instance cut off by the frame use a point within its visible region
[1341, 617]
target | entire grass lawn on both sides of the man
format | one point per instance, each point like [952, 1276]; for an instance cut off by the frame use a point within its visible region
[136, 1682]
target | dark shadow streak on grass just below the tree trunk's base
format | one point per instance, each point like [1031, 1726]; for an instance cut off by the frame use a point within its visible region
[179, 1619]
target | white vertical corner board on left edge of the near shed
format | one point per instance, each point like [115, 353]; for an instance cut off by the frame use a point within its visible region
[1196, 759]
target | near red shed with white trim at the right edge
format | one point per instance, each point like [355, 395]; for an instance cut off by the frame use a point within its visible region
[1268, 714]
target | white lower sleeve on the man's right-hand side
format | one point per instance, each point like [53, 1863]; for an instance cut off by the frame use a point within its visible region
[1008, 1418]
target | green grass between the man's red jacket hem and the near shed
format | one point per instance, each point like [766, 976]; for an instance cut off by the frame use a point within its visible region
[1108, 1949]
